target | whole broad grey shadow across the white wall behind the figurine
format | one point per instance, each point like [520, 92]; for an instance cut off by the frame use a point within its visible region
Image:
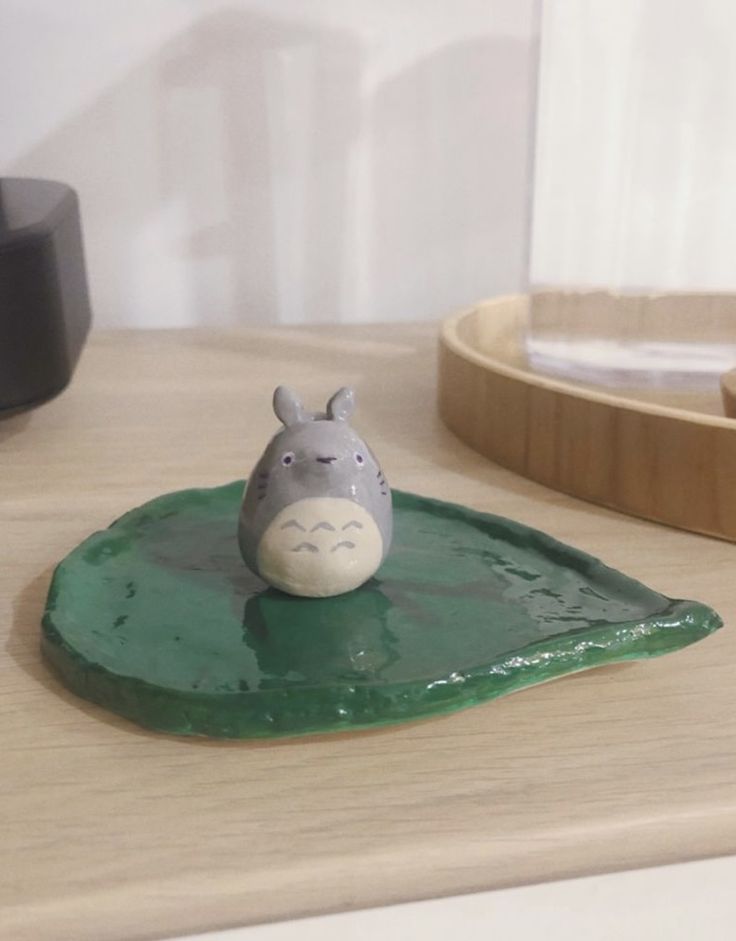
[244, 174]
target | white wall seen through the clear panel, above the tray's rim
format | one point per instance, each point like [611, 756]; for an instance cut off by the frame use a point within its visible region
[636, 145]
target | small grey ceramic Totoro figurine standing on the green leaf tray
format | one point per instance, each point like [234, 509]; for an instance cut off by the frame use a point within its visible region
[316, 515]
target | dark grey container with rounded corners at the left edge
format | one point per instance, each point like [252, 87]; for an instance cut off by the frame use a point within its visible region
[44, 302]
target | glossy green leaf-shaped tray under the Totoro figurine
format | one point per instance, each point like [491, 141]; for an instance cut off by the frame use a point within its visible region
[157, 619]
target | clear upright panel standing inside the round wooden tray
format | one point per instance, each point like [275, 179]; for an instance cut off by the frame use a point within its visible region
[635, 196]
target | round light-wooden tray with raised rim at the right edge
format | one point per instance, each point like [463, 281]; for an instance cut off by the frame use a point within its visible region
[657, 449]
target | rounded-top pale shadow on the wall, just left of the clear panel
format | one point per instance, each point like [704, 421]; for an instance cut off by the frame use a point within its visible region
[452, 186]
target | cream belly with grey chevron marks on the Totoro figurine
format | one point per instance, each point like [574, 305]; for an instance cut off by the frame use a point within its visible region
[320, 546]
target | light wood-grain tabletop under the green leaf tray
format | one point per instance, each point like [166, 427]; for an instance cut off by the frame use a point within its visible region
[112, 832]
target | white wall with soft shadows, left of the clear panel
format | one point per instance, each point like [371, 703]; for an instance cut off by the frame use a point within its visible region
[279, 160]
